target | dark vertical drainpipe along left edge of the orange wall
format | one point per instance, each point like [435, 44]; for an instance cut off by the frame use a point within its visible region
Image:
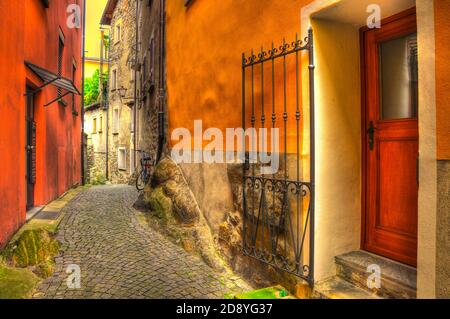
[162, 92]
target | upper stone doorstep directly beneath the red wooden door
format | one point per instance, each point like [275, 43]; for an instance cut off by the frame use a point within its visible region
[397, 280]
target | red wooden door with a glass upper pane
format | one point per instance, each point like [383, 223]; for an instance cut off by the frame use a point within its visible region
[390, 139]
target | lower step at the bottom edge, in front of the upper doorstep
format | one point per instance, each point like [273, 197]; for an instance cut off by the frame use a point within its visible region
[338, 288]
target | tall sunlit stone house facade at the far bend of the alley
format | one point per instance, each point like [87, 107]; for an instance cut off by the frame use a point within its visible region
[120, 15]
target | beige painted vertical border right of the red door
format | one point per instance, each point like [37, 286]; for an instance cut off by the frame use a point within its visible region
[426, 262]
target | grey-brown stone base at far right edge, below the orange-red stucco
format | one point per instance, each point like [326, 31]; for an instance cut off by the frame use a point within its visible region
[443, 233]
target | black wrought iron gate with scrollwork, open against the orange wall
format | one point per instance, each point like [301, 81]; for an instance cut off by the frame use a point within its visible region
[279, 208]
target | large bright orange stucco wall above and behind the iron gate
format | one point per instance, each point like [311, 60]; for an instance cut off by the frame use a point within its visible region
[204, 58]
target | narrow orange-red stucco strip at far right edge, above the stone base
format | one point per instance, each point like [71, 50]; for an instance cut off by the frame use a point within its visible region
[442, 33]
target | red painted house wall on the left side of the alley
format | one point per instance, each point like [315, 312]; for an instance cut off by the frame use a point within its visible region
[29, 32]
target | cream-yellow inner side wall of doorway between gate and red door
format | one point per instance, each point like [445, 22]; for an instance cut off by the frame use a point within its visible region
[338, 146]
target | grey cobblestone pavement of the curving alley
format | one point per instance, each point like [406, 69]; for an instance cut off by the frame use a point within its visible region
[119, 257]
